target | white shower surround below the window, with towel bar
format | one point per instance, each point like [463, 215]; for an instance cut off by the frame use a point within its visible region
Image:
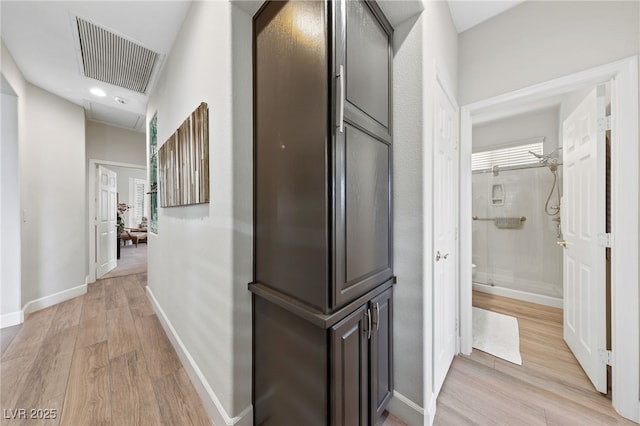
[525, 259]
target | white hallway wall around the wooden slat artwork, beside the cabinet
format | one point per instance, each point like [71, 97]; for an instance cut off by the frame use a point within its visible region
[202, 287]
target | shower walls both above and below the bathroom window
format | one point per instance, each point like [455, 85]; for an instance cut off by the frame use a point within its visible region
[525, 262]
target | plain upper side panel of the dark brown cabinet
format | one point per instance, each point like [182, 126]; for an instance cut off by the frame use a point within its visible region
[291, 114]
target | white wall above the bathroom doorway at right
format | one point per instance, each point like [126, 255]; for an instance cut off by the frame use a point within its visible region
[541, 40]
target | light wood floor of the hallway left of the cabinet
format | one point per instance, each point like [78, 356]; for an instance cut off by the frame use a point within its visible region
[99, 359]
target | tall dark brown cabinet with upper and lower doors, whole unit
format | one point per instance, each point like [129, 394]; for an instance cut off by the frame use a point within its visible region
[322, 289]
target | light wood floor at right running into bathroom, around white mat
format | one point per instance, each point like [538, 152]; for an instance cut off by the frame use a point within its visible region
[549, 388]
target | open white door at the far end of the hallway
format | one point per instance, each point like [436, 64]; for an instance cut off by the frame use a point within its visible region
[106, 221]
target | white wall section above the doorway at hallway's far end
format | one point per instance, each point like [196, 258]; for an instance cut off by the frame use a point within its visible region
[110, 143]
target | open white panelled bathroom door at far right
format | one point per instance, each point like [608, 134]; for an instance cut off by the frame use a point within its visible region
[583, 224]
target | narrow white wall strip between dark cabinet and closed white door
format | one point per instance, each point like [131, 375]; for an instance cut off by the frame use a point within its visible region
[407, 209]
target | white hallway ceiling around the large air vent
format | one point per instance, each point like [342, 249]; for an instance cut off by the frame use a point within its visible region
[42, 38]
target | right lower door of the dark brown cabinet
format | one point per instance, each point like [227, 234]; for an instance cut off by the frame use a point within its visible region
[381, 353]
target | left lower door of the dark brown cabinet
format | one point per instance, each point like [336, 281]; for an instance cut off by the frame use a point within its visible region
[350, 362]
